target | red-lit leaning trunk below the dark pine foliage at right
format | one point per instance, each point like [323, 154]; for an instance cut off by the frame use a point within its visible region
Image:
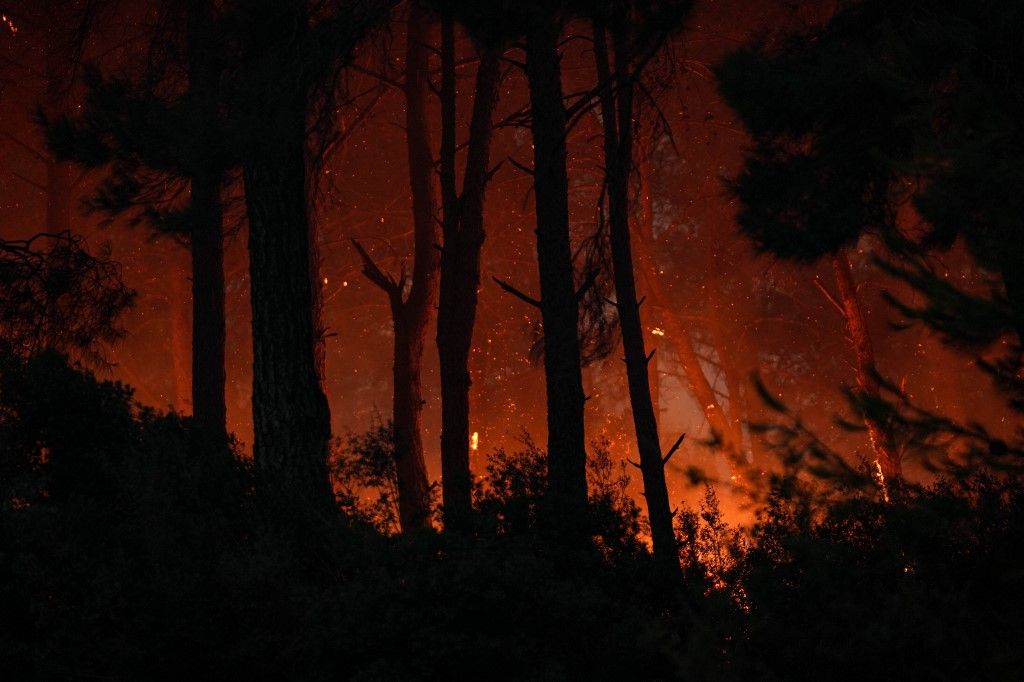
[882, 443]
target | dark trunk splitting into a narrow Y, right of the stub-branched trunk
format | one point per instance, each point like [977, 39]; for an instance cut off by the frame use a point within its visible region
[460, 267]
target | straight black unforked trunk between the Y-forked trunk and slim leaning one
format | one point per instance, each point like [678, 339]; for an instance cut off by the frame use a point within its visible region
[560, 309]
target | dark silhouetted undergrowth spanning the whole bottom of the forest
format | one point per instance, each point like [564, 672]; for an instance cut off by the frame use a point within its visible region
[129, 551]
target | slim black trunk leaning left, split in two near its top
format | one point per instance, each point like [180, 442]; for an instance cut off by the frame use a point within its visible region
[617, 115]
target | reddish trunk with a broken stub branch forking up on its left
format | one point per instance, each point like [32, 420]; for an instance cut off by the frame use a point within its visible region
[411, 314]
